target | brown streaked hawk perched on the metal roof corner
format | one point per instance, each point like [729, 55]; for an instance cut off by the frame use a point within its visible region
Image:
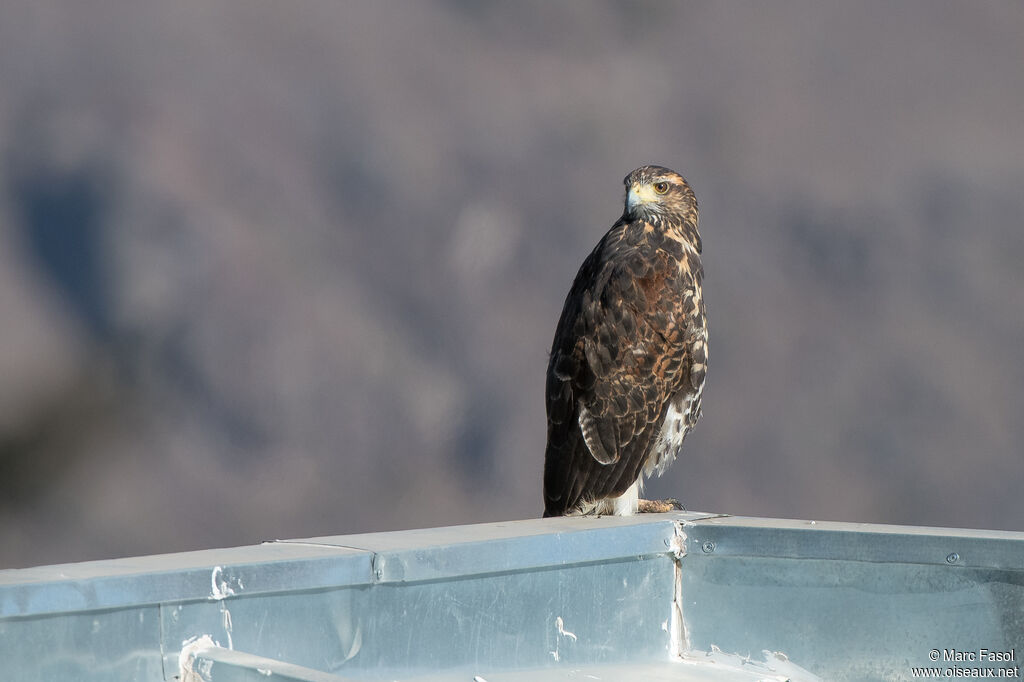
[627, 366]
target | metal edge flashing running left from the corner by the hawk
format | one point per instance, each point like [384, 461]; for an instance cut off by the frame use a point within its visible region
[402, 557]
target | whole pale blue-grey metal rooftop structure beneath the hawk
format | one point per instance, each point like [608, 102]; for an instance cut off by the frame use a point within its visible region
[685, 596]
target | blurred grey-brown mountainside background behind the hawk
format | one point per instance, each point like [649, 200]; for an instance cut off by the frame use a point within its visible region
[285, 270]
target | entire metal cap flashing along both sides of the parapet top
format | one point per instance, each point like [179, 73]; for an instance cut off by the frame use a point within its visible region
[452, 552]
